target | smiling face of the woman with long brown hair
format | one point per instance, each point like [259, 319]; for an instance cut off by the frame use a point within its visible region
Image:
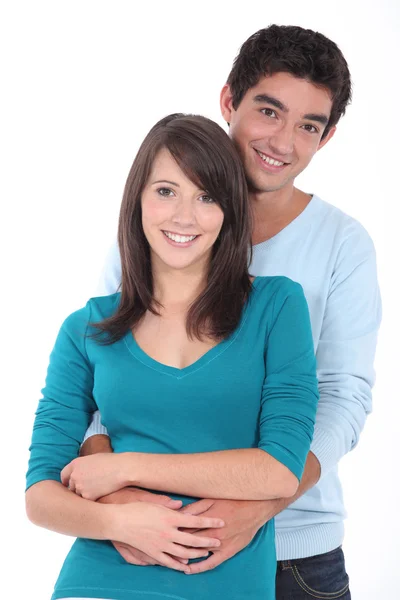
[180, 221]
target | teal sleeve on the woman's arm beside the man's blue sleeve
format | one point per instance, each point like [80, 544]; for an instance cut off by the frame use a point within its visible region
[290, 391]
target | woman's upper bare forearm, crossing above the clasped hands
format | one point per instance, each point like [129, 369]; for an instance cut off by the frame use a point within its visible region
[245, 474]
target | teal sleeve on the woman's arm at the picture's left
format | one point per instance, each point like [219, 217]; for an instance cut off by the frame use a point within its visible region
[67, 404]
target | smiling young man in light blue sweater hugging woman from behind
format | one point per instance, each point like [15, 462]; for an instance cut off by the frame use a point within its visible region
[285, 94]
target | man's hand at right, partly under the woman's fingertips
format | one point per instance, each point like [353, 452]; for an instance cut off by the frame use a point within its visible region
[243, 518]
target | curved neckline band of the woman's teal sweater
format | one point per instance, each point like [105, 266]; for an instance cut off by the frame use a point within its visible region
[210, 355]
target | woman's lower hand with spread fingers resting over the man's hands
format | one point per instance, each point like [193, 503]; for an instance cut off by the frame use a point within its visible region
[155, 531]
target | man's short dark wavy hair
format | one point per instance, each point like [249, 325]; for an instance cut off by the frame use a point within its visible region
[301, 52]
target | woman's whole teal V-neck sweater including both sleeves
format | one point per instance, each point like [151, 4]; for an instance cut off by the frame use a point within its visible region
[257, 388]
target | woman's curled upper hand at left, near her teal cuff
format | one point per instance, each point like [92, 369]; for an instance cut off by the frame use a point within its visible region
[94, 476]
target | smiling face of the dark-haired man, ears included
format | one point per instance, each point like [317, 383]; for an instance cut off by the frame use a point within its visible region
[277, 128]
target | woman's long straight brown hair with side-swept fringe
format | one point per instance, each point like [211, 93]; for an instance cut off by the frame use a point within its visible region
[209, 159]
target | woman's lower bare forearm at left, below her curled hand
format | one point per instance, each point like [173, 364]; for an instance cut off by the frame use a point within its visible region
[49, 504]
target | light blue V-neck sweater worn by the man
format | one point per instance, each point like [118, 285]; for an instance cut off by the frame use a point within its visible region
[333, 258]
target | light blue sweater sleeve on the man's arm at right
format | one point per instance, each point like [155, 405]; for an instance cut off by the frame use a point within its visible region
[346, 350]
